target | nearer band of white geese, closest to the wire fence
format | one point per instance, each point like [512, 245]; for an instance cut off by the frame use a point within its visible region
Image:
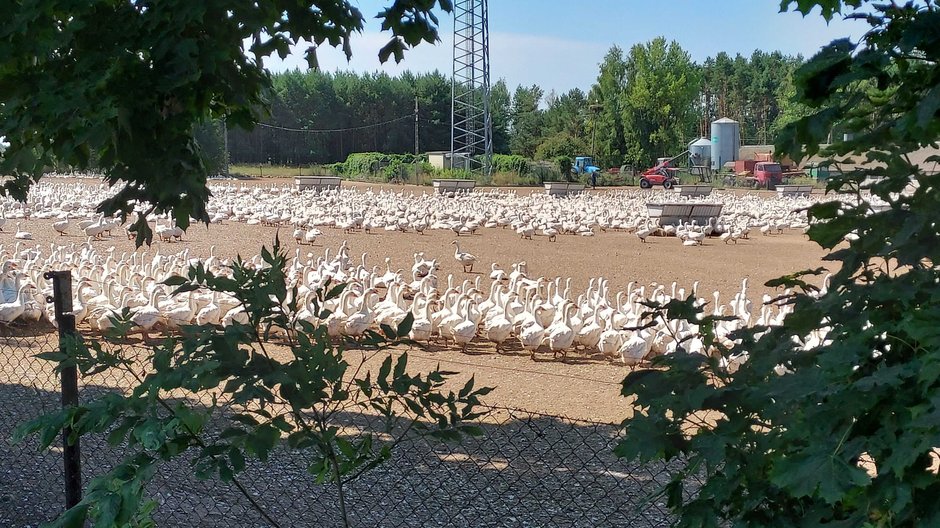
[517, 312]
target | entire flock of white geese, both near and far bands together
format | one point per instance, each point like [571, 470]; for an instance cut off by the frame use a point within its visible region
[513, 311]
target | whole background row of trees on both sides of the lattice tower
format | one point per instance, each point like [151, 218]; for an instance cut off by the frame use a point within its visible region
[647, 102]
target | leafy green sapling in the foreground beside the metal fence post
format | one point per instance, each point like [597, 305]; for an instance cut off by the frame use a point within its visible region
[286, 392]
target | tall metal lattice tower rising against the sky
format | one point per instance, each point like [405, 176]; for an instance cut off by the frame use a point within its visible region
[471, 145]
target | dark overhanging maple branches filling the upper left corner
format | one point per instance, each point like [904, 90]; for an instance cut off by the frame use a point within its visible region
[133, 99]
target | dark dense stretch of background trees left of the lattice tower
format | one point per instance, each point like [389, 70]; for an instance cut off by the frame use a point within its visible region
[352, 102]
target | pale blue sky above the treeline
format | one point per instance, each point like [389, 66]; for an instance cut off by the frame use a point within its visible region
[558, 44]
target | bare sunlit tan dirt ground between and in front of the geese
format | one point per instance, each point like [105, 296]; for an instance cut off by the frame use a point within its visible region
[586, 388]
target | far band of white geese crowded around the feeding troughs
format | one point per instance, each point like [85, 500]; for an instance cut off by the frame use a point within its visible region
[71, 206]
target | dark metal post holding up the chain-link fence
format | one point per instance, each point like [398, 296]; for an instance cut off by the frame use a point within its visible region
[62, 297]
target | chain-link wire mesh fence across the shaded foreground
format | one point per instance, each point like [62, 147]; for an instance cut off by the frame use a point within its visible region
[527, 469]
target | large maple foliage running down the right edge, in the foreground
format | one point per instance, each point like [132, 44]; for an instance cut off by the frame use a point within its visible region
[834, 418]
